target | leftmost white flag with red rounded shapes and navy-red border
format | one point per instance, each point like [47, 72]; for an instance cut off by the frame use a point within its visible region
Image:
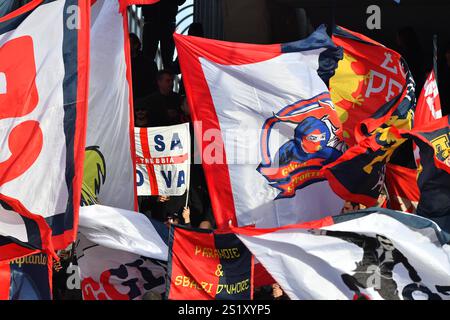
[43, 101]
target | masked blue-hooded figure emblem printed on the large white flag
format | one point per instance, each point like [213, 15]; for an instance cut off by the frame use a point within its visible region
[315, 142]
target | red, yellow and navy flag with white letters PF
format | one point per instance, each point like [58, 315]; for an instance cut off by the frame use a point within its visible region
[373, 91]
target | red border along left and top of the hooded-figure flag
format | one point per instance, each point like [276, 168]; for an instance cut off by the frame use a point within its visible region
[190, 50]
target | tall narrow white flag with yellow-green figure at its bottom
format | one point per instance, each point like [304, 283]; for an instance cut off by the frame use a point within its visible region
[109, 164]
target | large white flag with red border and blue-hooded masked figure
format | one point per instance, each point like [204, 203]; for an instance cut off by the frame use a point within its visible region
[265, 125]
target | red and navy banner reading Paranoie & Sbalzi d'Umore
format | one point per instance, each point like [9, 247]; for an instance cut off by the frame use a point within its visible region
[207, 265]
